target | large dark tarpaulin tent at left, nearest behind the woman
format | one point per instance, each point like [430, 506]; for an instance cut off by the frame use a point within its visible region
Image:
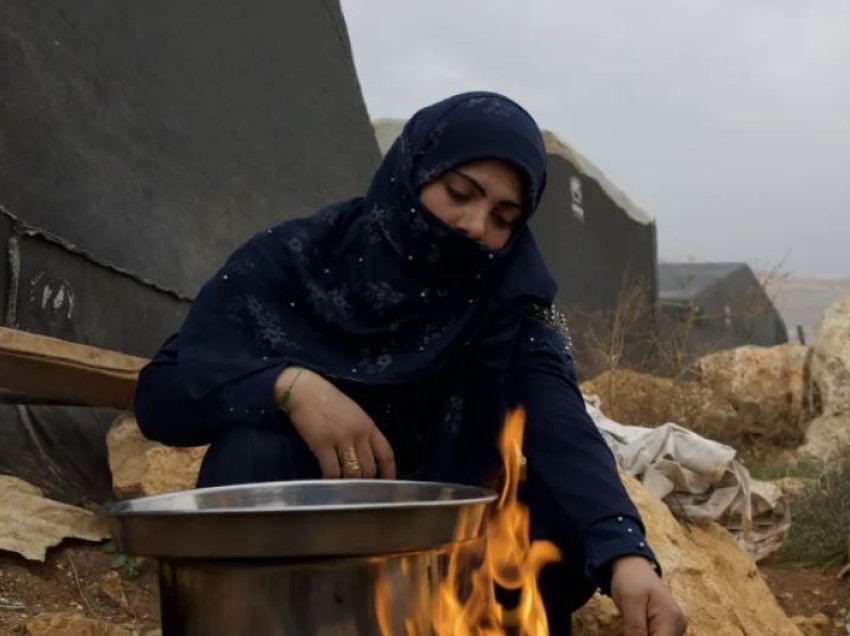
[140, 143]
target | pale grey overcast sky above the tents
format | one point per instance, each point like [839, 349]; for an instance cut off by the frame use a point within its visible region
[728, 121]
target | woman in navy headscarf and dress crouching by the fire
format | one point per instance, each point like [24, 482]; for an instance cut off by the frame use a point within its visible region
[388, 336]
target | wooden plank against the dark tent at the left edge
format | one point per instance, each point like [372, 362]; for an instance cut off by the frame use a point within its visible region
[59, 371]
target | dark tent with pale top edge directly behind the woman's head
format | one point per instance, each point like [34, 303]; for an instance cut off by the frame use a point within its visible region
[598, 244]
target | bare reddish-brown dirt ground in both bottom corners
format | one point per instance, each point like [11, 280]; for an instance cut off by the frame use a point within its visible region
[69, 581]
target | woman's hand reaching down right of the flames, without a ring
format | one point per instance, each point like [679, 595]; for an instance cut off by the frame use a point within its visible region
[647, 607]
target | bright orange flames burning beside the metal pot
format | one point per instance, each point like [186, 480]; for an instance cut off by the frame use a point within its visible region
[465, 600]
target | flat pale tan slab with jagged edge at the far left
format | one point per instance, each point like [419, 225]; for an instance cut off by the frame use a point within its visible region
[29, 523]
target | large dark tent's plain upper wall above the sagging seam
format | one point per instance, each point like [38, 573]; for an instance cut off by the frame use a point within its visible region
[158, 137]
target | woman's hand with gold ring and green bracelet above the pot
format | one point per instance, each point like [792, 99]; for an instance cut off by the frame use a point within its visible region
[343, 438]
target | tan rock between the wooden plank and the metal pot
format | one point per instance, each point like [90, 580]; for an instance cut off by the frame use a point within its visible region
[142, 467]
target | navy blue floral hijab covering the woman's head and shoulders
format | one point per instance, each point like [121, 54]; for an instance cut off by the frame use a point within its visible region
[377, 289]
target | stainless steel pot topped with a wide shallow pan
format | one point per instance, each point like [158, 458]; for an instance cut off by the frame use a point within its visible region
[300, 558]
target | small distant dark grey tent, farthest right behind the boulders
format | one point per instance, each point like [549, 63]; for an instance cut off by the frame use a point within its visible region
[713, 306]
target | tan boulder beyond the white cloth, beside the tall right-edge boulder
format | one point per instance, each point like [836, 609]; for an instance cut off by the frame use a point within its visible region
[766, 387]
